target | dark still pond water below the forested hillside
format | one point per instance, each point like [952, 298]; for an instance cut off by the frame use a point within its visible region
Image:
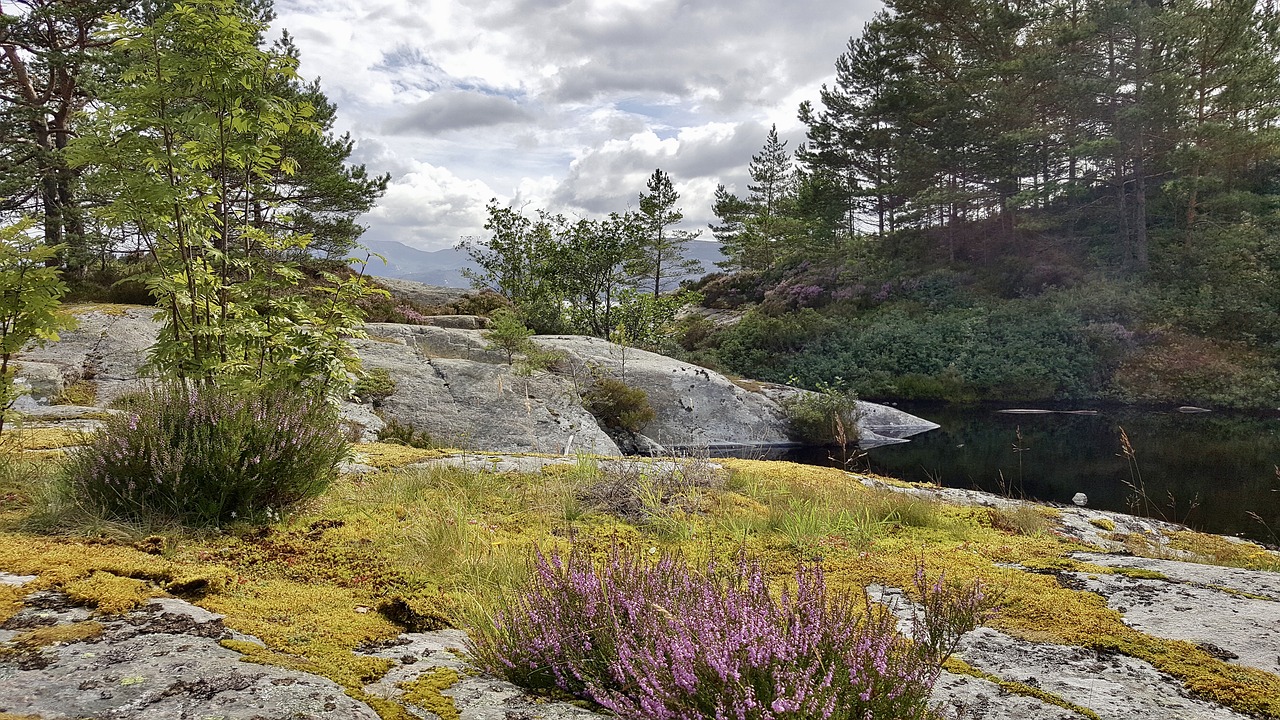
[1208, 471]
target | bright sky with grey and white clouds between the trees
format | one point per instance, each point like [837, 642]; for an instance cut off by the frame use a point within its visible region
[561, 104]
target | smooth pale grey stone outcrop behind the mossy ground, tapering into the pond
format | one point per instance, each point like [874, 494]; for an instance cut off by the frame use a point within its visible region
[450, 386]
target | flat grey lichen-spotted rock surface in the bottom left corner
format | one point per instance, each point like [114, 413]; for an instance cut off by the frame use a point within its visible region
[164, 663]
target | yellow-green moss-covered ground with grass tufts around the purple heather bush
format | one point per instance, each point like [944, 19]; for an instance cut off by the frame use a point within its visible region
[420, 549]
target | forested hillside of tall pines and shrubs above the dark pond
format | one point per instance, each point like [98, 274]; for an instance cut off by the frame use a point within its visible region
[1022, 202]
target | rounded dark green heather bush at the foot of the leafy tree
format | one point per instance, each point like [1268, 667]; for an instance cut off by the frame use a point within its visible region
[204, 457]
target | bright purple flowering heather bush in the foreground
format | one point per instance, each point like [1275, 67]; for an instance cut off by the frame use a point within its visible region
[659, 641]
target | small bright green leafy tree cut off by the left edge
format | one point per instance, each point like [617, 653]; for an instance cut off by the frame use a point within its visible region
[30, 298]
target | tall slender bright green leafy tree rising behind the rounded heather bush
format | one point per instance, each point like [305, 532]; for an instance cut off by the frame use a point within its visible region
[189, 145]
